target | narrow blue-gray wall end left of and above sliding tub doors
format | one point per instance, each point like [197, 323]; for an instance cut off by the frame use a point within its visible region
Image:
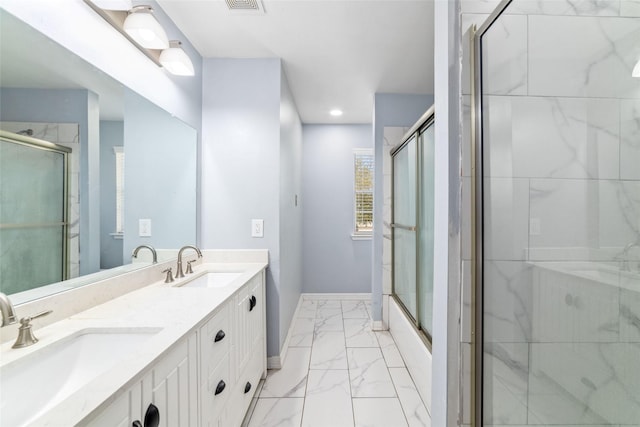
[389, 110]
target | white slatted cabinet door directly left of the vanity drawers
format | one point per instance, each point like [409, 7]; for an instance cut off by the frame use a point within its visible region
[172, 386]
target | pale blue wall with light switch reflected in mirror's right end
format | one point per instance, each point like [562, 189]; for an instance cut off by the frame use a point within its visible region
[160, 176]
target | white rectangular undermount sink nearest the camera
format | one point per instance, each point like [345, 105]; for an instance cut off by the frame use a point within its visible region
[34, 384]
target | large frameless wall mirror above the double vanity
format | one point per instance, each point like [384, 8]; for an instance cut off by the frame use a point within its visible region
[56, 96]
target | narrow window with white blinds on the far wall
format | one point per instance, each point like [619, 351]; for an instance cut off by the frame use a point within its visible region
[363, 193]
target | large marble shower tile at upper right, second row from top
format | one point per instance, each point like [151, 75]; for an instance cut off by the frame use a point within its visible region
[595, 58]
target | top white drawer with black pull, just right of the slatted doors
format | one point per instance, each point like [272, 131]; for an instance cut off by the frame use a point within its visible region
[216, 336]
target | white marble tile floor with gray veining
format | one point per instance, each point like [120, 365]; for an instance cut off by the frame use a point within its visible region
[338, 372]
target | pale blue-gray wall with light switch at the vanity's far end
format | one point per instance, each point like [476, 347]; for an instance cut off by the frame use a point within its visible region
[250, 142]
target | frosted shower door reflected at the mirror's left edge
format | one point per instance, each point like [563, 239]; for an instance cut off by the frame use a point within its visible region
[33, 227]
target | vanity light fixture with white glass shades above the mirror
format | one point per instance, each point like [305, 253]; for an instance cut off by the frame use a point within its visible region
[138, 25]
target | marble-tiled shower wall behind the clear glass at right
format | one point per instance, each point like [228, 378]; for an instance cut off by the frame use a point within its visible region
[562, 187]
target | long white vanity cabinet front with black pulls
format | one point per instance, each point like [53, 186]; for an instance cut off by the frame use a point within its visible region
[210, 377]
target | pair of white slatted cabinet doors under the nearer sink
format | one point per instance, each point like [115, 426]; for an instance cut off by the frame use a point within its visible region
[171, 384]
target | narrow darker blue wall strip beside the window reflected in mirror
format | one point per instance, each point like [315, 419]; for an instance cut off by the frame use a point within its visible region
[111, 135]
